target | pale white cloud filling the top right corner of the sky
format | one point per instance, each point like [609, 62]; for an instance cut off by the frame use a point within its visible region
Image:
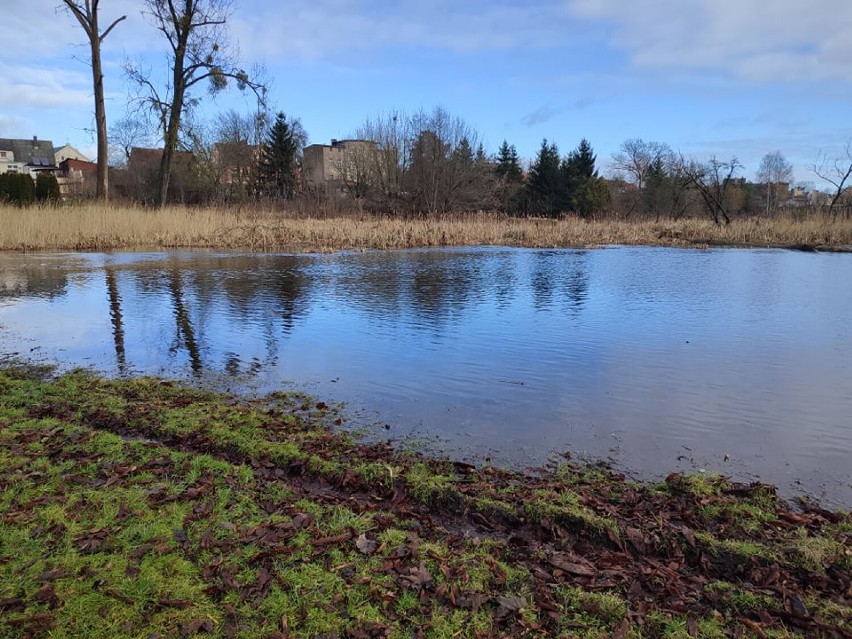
[751, 39]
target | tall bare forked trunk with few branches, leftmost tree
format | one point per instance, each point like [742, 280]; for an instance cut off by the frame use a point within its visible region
[86, 13]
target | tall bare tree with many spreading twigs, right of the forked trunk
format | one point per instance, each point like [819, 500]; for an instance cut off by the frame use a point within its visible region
[195, 31]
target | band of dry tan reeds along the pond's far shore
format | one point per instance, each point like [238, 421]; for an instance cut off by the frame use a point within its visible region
[112, 227]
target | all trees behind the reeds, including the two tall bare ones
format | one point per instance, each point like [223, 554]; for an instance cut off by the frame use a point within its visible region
[424, 162]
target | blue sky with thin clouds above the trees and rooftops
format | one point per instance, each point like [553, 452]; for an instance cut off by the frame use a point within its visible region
[730, 77]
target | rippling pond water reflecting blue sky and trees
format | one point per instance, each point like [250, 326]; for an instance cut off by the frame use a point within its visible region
[654, 359]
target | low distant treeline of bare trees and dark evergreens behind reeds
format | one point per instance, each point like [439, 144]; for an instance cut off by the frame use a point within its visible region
[434, 163]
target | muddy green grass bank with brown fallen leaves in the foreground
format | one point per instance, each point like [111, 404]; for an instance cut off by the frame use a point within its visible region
[140, 508]
